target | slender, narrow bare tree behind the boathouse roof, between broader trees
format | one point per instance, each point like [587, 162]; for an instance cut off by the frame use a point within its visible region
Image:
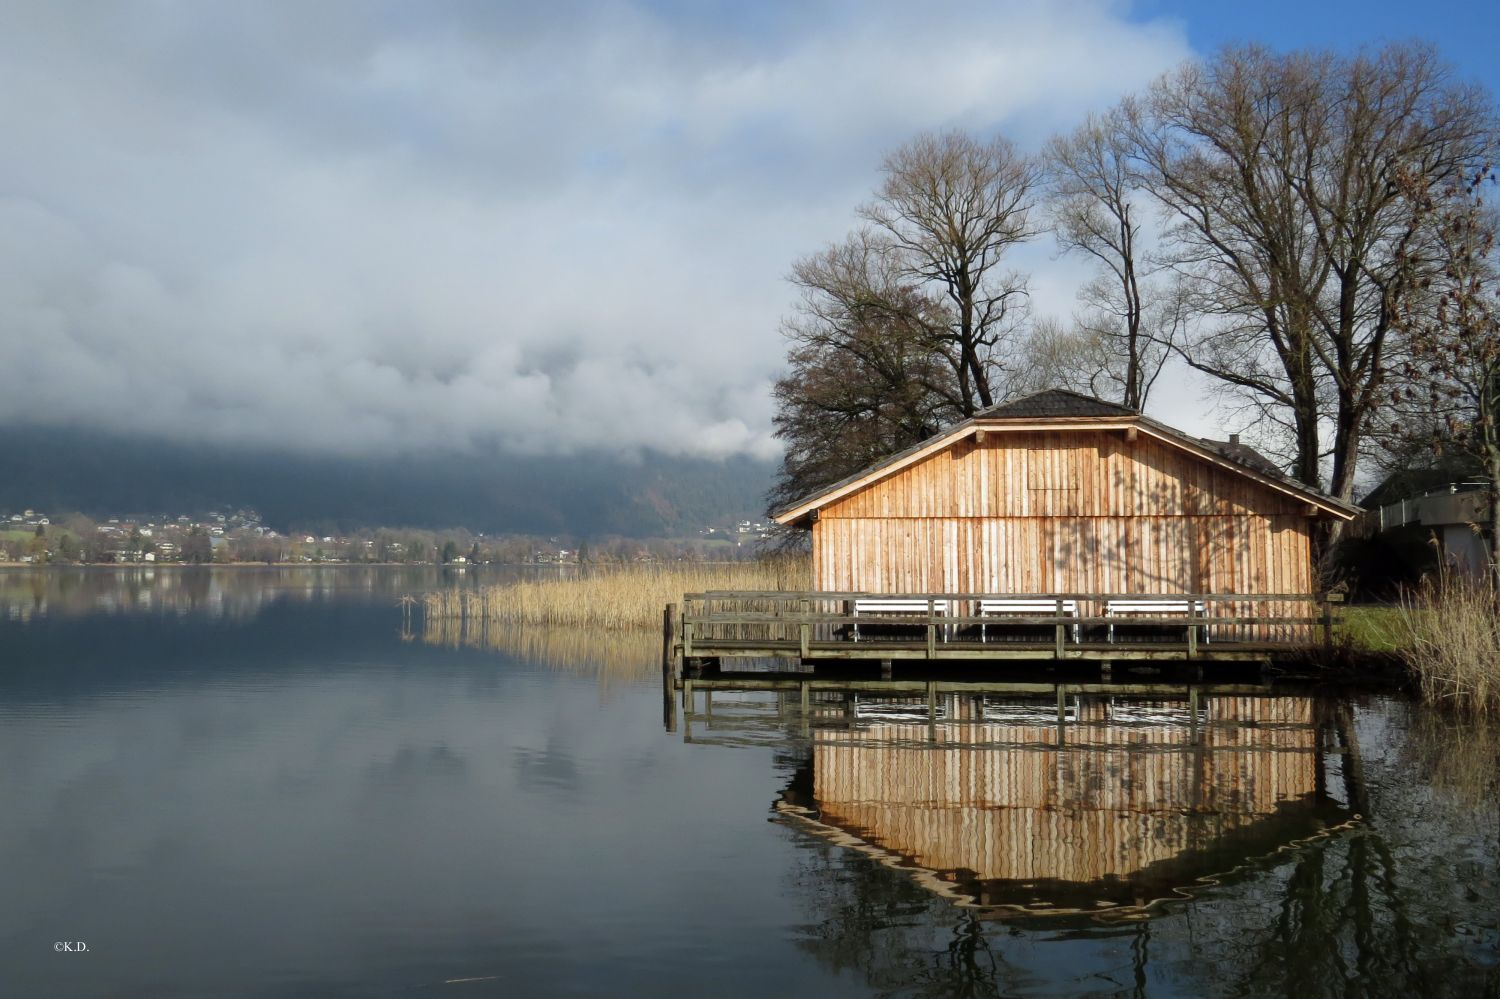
[1093, 194]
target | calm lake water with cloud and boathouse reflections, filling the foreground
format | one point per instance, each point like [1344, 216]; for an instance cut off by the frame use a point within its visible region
[254, 784]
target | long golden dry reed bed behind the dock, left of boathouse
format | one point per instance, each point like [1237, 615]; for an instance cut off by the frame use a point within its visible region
[611, 598]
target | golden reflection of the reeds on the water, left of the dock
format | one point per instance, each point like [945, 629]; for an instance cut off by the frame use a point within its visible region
[589, 652]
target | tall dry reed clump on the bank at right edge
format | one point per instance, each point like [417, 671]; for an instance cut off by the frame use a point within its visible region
[1451, 641]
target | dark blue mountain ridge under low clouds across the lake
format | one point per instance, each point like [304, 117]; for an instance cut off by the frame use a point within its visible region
[595, 494]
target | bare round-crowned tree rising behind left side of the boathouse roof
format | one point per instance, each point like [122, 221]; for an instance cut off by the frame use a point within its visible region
[952, 206]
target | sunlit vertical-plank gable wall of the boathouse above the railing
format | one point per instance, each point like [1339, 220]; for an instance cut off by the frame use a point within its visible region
[1064, 512]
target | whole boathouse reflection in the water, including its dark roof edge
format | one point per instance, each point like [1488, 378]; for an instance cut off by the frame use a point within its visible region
[1141, 802]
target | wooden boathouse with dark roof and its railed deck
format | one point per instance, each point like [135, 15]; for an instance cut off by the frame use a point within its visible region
[1052, 527]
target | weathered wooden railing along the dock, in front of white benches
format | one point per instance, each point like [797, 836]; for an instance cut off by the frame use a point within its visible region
[815, 625]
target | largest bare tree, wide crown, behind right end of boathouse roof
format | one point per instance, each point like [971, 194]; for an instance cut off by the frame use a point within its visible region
[1280, 179]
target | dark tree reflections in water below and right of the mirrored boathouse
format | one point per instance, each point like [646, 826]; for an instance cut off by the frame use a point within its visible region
[1405, 904]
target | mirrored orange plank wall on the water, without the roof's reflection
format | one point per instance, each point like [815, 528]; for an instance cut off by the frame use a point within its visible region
[1000, 802]
